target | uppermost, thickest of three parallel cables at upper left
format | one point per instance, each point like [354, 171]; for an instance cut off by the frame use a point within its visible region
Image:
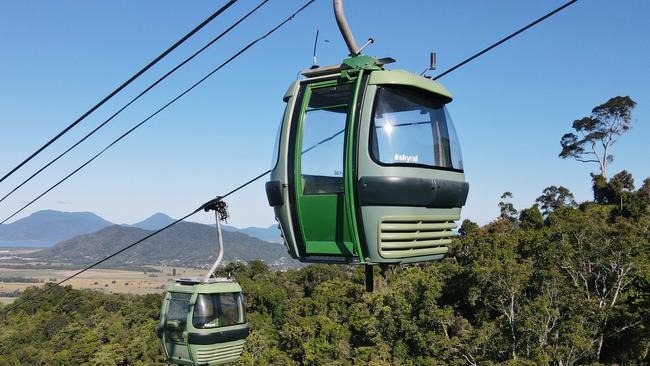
[119, 88]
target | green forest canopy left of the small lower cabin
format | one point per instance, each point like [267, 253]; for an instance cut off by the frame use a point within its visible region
[74, 327]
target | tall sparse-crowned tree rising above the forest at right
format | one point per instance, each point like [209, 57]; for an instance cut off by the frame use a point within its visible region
[595, 135]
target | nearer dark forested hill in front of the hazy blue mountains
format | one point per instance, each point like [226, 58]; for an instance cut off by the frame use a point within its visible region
[185, 244]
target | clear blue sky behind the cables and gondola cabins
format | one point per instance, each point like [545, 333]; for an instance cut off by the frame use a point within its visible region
[511, 106]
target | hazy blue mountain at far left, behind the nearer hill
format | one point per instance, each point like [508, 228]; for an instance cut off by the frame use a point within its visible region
[52, 226]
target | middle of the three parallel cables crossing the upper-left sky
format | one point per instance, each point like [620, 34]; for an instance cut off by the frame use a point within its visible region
[135, 99]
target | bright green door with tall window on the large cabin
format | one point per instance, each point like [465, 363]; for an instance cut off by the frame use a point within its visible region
[320, 165]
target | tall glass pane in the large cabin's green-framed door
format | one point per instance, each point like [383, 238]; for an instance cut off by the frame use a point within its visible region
[323, 139]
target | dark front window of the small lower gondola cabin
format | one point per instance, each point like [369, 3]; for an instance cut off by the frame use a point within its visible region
[218, 310]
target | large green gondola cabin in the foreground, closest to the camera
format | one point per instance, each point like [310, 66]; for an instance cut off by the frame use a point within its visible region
[367, 166]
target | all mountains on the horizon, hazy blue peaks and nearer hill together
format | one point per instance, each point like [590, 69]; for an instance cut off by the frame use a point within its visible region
[84, 237]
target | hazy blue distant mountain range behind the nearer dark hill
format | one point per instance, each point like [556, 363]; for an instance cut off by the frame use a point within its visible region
[49, 227]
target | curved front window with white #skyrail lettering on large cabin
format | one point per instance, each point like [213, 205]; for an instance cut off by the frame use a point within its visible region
[411, 127]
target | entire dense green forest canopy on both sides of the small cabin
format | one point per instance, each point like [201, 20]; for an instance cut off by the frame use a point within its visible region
[566, 288]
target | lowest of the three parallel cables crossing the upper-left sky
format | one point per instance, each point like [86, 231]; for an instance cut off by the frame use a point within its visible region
[251, 44]
